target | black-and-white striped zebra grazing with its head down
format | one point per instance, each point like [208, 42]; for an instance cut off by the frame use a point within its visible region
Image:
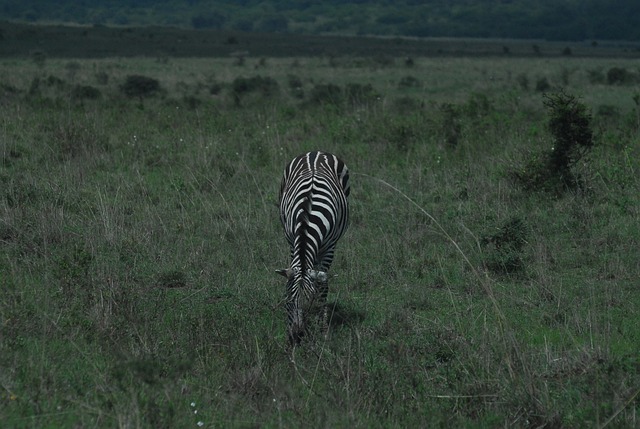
[314, 213]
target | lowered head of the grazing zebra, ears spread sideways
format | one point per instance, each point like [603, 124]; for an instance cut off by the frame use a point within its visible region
[302, 291]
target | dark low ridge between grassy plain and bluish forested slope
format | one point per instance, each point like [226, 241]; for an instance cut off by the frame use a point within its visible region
[39, 41]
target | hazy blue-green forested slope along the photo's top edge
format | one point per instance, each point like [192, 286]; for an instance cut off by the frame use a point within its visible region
[521, 19]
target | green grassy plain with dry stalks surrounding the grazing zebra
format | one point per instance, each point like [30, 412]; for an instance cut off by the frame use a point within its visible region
[139, 236]
